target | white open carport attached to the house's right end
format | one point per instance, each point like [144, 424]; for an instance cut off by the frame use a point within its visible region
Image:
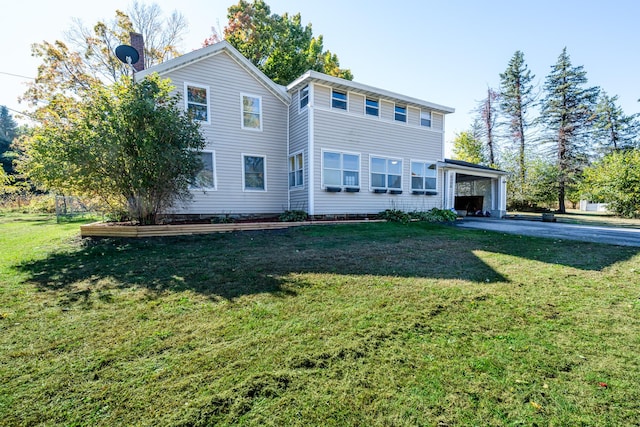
[474, 188]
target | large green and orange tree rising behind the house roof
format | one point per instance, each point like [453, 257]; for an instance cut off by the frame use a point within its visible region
[279, 45]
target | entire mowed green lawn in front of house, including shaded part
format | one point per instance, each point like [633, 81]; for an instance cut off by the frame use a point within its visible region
[371, 324]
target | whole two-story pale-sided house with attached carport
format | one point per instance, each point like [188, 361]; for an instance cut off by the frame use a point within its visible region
[322, 144]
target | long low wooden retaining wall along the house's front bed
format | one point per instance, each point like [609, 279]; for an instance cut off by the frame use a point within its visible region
[101, 229]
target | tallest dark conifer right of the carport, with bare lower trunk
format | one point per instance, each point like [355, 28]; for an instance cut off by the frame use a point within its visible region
[568, 113]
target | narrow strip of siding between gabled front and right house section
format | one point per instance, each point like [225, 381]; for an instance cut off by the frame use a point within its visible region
[298, 142]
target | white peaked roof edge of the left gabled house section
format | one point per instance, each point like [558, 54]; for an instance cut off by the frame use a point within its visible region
[206, 52]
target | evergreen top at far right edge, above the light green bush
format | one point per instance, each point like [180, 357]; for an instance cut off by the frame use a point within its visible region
[613, 129]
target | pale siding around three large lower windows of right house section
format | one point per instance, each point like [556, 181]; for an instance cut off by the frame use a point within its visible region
[356, 133]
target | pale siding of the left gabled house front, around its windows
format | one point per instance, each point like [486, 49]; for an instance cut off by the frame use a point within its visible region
[227, 80]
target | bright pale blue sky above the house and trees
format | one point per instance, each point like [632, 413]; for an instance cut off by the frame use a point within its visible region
[446, 52]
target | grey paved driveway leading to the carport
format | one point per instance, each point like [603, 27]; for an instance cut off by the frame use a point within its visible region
[556, 230]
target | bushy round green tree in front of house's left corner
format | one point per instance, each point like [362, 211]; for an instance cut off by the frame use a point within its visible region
[128, 144]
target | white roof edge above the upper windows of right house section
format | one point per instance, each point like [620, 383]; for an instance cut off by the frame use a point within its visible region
[348, 85]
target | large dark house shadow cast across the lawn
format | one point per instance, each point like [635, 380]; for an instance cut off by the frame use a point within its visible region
[234, 264]
